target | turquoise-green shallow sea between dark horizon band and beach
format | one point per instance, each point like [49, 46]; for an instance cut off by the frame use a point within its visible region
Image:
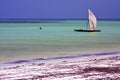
[26, 40]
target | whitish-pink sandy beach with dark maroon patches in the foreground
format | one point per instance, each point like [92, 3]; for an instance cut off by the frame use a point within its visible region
[100, 66]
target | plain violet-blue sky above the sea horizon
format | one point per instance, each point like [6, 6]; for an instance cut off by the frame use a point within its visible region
[59, 9]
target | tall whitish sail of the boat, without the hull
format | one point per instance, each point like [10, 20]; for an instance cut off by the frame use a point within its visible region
[92, 20]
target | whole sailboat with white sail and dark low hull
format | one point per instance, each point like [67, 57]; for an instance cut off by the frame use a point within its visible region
[92, 23]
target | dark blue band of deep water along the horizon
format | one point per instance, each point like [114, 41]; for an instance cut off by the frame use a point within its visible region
[33, 20]
